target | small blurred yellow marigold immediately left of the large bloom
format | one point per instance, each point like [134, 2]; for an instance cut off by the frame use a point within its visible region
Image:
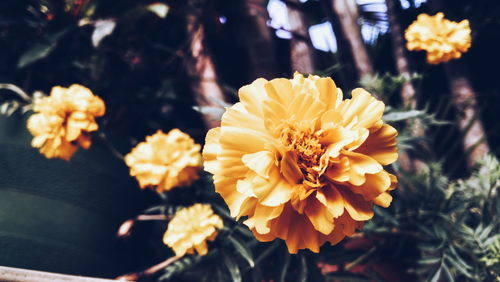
[165, 160]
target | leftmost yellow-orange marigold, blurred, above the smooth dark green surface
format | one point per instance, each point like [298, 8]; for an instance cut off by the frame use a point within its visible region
[63, 121]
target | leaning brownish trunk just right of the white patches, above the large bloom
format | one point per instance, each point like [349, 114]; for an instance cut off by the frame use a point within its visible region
[348, 27]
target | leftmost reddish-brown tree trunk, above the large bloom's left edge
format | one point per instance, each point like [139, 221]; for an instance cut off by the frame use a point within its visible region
[200, 67]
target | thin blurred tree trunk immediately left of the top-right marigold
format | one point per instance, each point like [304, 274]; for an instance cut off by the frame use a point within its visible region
[401, 60]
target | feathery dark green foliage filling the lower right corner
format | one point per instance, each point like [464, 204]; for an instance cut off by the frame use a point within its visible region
[452, 224]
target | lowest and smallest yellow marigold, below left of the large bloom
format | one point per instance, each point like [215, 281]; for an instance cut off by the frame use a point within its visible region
[191, 228]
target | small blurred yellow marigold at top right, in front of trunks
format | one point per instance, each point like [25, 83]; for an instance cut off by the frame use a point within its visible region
[441, 38]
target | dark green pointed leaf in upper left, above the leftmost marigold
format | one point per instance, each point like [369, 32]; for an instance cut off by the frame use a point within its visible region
[40, 49]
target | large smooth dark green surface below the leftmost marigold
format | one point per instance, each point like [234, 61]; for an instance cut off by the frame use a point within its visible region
[67, 213]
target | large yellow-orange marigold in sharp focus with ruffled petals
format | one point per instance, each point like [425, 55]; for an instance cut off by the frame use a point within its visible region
[299, 162]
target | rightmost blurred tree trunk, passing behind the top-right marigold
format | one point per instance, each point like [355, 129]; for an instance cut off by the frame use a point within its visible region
[464, 99]
